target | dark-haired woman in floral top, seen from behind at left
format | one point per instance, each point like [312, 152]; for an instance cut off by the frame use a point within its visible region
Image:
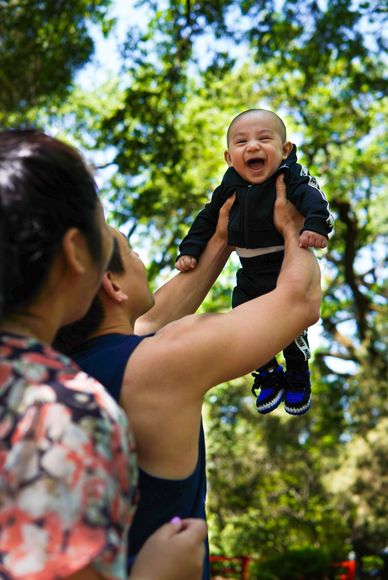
[68, 473]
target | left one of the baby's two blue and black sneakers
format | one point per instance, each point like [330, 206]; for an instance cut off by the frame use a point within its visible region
[272, 386]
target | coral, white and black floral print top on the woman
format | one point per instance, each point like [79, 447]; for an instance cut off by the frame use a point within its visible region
[67, 468]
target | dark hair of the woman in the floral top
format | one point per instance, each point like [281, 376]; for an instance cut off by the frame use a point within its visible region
[45, 189]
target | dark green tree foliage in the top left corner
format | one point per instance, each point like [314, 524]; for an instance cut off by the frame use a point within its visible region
[42, 45]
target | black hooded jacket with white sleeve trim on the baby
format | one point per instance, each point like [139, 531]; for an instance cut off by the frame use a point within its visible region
[251, 216]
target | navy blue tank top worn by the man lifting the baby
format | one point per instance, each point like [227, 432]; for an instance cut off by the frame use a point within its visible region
[105, 358]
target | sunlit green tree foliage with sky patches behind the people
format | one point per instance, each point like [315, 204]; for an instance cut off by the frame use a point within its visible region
[276, 482]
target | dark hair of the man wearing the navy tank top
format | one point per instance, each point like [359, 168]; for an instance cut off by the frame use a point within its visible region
[72, 337]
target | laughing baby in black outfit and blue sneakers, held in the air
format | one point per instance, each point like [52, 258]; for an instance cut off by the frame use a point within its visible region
[257, 152]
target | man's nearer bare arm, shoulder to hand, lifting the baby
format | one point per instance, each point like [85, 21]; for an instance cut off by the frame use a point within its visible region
[168, 374]
